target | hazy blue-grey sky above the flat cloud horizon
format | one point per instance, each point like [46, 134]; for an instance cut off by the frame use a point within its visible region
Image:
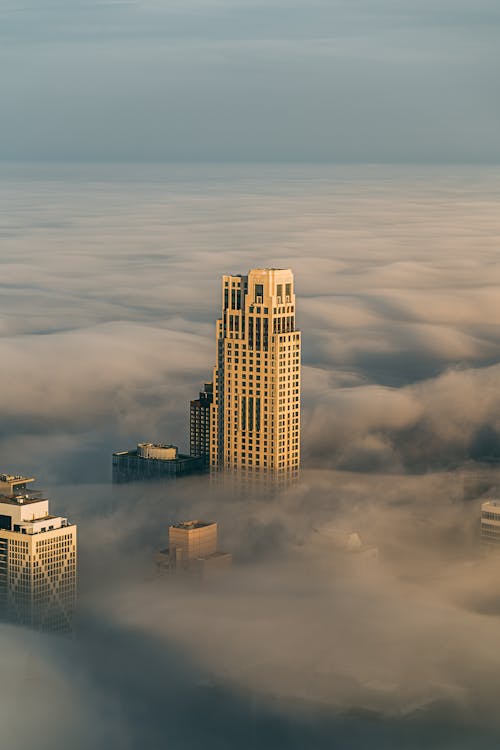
[377, 81]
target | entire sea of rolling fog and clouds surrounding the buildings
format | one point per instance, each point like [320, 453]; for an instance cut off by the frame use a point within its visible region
[110, 286]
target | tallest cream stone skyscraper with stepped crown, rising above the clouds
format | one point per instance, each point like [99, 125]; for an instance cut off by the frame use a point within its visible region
[255, 415]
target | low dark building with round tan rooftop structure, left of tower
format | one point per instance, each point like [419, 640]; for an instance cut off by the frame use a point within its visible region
[154, 461]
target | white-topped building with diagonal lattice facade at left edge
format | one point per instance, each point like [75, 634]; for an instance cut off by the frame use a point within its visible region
[37, 565]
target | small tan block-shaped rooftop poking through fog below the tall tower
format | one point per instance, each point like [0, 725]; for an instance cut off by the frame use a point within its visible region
[192, 549]
